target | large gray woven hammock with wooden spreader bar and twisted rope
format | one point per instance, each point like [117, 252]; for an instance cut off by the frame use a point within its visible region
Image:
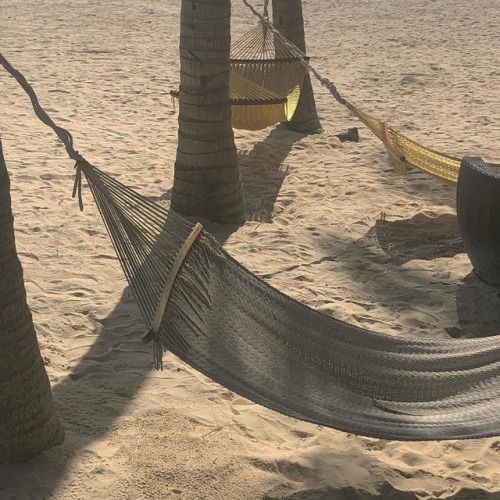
[230, 325]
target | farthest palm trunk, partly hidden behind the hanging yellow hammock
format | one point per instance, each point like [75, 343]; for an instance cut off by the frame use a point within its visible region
[288, 18]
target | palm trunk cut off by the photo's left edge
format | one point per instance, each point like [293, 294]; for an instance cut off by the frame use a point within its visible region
[28, 421]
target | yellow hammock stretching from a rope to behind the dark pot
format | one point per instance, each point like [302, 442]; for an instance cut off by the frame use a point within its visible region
[403, 151]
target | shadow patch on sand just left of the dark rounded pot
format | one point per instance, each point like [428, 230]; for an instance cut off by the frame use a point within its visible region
[374, 262]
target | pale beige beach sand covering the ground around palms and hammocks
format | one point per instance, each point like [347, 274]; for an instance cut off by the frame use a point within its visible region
[104, 70]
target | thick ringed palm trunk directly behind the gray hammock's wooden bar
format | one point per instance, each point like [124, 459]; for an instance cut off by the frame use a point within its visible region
[207, 181]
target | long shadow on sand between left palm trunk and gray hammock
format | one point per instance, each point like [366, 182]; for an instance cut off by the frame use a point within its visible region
[90, 400]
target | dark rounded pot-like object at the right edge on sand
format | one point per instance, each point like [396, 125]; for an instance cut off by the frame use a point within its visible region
[478, 211]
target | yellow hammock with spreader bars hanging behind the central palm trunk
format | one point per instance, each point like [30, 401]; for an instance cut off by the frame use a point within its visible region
[265, 80]
